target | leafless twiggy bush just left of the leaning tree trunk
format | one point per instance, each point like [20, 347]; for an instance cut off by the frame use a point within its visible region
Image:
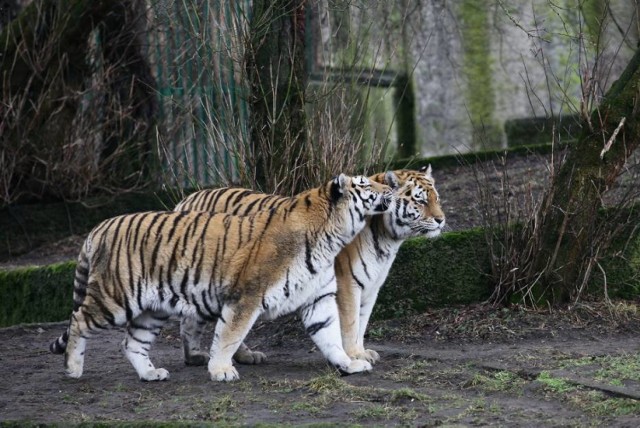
[511, 211]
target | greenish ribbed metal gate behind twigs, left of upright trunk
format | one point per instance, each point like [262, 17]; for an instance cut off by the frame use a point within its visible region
[195, 49]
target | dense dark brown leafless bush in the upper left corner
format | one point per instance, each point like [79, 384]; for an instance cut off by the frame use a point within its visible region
[74, 116]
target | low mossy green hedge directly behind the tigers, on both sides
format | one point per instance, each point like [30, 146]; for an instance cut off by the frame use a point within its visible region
[427, 273]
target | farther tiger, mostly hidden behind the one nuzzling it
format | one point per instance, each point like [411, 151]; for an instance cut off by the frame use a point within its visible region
[361, 267]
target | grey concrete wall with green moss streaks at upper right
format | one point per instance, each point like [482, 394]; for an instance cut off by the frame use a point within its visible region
[481, 63]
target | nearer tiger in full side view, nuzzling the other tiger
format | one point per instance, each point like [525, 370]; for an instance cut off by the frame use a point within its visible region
[138, 270]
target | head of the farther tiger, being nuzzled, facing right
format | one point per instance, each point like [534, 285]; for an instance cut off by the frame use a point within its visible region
[416, 211]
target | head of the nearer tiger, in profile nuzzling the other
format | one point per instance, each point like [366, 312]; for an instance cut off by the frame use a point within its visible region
[368, 197]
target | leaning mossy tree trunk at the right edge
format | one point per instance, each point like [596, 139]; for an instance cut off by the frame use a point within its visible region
[569, 216]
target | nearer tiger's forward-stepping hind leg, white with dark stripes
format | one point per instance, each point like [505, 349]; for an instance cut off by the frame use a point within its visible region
[141, 333]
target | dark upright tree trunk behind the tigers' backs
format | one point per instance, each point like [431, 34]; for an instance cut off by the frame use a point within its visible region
[276, 69]
